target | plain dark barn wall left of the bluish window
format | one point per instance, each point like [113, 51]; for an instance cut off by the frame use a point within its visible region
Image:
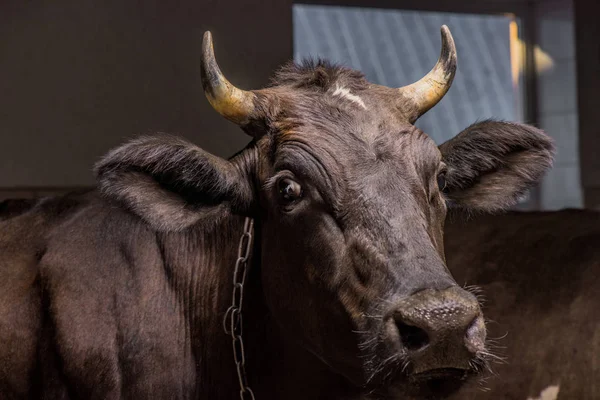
[81, 76]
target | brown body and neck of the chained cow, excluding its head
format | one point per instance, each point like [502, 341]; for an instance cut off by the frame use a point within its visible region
[95, 305]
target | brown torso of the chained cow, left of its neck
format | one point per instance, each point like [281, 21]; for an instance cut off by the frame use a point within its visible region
[79, 336]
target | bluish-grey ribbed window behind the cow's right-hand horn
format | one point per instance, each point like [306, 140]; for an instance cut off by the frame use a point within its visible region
[397, 47]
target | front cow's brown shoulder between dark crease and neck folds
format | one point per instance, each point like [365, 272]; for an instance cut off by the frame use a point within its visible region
[115, 319]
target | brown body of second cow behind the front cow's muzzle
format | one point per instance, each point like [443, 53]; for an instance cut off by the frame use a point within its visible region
[540, 275]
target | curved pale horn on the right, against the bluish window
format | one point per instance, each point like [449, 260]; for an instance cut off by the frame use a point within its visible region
[430, 89]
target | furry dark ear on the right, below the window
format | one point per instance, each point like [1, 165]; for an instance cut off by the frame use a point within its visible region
[491, 164]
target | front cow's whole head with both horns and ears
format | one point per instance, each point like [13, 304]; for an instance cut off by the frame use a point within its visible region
[350, 200]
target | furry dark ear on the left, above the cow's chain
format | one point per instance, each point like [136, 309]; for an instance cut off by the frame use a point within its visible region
[173, 184]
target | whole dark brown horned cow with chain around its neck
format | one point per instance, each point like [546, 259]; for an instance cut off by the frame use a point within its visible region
[310, 265]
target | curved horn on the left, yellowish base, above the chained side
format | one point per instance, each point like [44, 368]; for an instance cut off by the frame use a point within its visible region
[234, 104]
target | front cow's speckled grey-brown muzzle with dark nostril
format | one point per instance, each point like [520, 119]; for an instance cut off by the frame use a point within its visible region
[439, 331]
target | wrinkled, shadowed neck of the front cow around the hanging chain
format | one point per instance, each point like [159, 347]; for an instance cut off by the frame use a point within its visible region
[276, 367]
